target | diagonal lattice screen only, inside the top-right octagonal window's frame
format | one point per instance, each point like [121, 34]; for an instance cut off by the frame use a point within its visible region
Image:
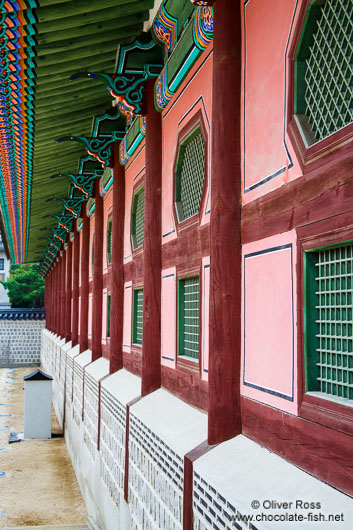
[329, 72]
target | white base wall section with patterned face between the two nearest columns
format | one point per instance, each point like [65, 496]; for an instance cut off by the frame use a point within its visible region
[162, 430]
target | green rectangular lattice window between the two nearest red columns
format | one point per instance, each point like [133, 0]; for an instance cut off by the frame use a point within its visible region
[188, 317]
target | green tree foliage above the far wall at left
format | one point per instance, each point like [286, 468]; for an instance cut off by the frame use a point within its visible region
[25, 286]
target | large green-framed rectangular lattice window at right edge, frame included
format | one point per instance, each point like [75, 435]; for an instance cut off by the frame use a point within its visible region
[328, 288]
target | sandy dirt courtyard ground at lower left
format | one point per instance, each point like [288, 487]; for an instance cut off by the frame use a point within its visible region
[37, 482]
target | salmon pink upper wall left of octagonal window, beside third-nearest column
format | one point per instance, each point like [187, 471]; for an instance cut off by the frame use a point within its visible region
[134, 171]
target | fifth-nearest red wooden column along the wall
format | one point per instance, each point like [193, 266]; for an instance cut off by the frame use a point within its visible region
[83, 340]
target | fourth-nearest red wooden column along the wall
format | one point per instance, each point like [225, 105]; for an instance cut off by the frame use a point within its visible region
[97, 299]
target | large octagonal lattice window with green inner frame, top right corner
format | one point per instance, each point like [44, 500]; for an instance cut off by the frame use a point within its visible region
[324, 69]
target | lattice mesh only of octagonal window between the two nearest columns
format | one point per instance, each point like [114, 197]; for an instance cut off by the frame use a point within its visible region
[192, 176]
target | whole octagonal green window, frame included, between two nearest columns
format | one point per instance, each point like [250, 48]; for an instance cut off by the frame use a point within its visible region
[190, 175]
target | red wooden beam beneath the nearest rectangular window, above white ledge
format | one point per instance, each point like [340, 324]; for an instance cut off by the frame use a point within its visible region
[319, 450]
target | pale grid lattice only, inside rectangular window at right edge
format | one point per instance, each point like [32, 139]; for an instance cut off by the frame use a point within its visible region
[335, 335]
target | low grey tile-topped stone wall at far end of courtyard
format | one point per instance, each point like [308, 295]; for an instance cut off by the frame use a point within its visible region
[20, 336]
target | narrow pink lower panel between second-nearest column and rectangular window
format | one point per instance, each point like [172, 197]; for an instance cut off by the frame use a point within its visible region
[168, 324]
